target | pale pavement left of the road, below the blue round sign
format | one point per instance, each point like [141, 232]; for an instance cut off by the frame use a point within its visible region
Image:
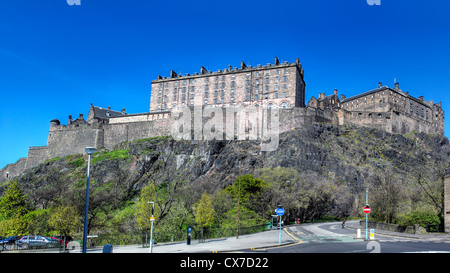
[249, 242]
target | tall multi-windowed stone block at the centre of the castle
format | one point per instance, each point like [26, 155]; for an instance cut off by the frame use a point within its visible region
[280, 85]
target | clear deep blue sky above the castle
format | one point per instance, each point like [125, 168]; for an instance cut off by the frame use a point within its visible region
[56, 59]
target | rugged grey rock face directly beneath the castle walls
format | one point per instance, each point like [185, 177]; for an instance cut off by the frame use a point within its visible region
[344, 154]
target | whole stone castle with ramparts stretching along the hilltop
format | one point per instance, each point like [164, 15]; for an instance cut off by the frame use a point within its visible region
[278, 85]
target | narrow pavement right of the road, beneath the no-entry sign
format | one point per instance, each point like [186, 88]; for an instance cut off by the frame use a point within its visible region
[435, 236]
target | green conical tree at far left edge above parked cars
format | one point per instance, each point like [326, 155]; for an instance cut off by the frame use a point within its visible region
[13, 201]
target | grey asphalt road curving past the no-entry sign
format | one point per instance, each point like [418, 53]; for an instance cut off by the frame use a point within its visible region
[332, 238]
